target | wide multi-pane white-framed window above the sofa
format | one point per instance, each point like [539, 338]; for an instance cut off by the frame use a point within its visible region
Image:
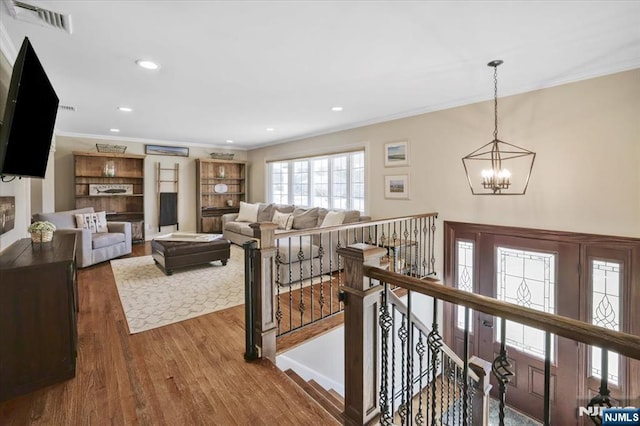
[331, 181]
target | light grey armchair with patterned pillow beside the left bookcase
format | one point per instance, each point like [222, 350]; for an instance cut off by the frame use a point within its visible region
[91, 247]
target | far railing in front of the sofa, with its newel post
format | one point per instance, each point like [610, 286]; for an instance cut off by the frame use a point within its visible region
[297, 277]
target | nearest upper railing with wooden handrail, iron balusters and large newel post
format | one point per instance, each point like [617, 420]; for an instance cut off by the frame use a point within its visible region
[367, 321]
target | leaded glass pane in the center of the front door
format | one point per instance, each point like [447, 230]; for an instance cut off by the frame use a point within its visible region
[526, 278]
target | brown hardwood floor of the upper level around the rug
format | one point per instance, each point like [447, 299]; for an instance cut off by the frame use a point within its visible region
[189, 373]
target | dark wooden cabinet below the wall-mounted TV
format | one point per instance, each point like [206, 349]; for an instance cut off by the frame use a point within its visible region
[38, 306]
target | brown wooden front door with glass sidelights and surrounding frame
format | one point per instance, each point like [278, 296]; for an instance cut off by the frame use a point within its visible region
[586, 277]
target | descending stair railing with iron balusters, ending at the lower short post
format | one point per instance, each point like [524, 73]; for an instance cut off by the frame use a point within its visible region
[425, 380]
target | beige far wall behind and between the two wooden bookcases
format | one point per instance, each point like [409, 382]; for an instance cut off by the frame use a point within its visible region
[187, 177]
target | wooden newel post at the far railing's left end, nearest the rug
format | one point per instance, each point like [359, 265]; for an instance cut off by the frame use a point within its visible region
[263, 290]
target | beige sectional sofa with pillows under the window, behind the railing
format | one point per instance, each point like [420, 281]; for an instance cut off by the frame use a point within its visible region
[292, 267]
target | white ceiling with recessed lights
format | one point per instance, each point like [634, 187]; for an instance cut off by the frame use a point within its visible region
[230, 69]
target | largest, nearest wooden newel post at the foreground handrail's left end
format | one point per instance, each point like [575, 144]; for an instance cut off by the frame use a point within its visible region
[361, 308]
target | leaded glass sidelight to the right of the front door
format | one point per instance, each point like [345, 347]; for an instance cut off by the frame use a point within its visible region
[605, 312]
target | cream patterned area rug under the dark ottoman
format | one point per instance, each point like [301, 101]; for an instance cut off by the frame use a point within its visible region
[150, 299]
